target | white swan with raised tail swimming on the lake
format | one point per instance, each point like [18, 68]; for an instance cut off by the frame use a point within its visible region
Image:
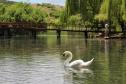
[76, 63]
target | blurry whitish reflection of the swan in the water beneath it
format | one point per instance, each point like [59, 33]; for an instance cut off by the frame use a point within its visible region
[77, 75]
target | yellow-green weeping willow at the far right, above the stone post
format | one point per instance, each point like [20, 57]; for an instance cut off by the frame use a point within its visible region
[113, 11]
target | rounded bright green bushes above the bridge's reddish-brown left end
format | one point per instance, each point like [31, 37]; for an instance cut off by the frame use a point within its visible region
[20, 12]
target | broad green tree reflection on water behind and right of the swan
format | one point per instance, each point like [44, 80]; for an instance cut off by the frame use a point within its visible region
[110, 60]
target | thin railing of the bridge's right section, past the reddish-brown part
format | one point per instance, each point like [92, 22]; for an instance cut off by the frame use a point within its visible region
[80, 28]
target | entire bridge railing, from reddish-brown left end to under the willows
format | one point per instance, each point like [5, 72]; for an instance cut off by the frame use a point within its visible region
[44, 26]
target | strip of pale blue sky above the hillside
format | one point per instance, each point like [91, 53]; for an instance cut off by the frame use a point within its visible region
[57, 2]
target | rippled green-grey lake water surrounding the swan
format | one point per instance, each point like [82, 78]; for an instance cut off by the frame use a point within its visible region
[39, 61]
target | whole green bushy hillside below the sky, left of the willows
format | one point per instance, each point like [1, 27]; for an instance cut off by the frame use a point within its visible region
[18, 12]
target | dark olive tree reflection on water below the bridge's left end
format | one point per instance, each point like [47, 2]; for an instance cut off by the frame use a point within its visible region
[21, 47]
